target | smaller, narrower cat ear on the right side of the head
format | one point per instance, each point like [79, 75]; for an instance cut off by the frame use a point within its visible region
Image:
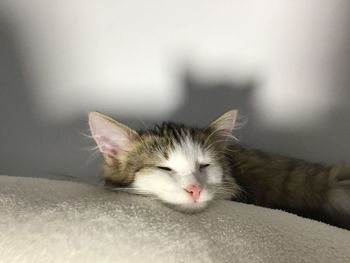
[223, 126]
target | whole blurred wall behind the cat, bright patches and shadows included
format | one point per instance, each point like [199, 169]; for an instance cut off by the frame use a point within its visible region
[284, 64]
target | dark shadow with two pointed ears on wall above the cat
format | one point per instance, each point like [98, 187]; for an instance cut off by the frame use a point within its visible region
[205, 101]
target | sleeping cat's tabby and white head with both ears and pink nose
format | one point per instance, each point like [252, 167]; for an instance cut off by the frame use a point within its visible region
[183, 167]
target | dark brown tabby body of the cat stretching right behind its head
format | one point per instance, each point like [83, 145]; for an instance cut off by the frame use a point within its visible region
[308, 189]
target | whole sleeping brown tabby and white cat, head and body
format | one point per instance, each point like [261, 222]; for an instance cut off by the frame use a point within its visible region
[186, 168]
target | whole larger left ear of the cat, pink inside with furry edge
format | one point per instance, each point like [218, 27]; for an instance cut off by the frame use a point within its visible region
[110, 136]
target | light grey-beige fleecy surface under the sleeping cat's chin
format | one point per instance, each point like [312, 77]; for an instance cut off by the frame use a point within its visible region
[45, 220]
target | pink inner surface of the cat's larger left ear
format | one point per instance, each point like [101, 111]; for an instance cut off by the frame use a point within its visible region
[110, 138]
